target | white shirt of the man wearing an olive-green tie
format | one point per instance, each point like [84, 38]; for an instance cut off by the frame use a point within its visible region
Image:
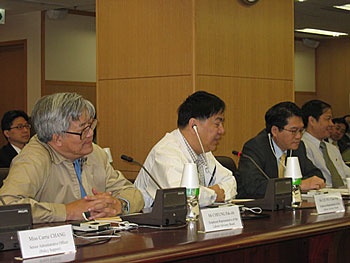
[314, 153]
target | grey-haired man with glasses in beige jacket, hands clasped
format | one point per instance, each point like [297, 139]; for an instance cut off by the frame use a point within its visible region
[61, 173]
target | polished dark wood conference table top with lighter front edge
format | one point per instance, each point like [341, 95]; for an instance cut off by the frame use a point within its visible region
[155, 245]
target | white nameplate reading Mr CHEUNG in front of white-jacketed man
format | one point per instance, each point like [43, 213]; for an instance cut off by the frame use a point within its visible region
[221, 218]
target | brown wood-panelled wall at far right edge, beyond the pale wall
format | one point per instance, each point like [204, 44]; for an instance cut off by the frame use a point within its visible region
[333, 74]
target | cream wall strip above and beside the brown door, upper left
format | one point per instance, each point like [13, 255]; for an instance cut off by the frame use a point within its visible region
[27, 26]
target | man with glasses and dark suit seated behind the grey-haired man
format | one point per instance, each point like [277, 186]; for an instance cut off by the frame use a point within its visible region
[16, 129]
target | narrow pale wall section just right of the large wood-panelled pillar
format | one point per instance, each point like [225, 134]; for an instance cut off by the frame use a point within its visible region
[304, 68]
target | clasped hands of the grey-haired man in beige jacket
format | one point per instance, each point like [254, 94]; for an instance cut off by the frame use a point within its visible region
[99, 205]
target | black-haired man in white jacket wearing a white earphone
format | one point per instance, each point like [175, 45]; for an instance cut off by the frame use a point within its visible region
[200, 127]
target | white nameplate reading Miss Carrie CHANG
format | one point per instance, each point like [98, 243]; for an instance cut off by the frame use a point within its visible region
[46, 241]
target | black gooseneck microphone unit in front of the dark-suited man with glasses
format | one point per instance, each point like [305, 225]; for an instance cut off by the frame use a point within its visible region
[278, 193]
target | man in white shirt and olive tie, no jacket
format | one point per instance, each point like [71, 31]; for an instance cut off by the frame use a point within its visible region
[317, 117]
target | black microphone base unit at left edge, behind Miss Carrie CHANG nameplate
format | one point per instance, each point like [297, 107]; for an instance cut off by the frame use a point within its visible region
[13, 218]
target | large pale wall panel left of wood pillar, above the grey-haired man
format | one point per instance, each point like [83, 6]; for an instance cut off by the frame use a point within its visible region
[70, 49]
